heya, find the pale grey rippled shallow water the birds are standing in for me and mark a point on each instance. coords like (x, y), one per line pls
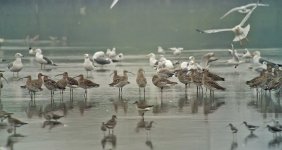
(182, 121)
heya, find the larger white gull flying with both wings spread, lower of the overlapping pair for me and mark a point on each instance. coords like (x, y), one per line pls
(240, 31)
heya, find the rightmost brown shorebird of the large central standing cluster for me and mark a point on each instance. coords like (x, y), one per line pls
(210, 84)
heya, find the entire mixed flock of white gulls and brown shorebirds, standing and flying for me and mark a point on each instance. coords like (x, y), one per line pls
(187, 72)
